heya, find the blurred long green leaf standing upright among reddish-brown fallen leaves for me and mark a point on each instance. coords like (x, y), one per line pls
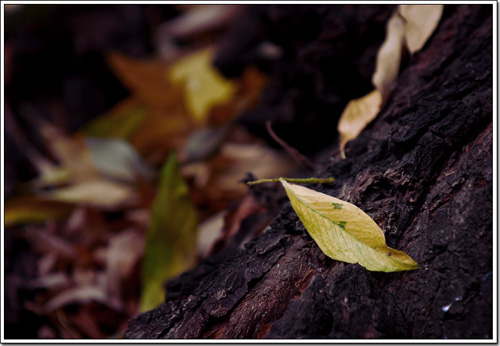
(171, 239)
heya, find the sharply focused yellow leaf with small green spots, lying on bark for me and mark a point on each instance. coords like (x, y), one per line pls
(345, 234)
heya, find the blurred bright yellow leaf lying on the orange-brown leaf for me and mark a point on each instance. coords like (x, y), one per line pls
(204, 86)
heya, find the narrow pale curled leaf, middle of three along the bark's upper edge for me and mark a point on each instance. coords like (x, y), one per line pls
(389, 56)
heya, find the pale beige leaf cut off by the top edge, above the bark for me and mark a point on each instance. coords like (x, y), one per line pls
(421, 21)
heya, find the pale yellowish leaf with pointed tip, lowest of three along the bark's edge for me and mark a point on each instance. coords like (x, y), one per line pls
(357, 114)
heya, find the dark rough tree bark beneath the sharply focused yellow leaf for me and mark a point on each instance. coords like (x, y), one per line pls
(423, 171)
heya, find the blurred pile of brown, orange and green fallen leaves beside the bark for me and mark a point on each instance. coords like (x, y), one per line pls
(100, 213)
